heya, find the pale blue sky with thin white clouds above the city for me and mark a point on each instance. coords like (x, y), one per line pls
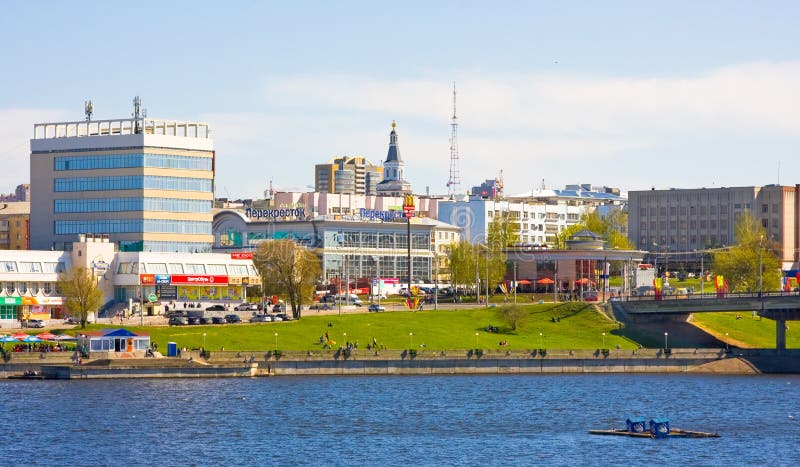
(620, 93)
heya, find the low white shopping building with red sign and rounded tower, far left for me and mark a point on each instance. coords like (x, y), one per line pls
(128, 279)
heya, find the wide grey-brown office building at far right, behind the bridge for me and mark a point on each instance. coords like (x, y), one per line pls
(686, 220)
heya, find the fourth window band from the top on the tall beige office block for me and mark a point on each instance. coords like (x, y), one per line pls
(109, 226)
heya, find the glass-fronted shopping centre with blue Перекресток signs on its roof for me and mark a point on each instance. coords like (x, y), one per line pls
(361, 246)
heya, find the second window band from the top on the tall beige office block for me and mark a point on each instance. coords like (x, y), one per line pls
(131, 182)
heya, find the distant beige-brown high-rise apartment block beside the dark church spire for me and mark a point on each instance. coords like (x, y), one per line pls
(351, 175)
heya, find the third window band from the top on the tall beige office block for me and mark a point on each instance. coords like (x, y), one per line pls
(132, 204)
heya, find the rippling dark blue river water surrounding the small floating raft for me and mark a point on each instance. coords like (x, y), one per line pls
(449, 420)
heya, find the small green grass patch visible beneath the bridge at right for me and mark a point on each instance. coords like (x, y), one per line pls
(747, 331)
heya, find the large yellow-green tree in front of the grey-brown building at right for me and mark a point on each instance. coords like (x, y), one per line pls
(739, 265)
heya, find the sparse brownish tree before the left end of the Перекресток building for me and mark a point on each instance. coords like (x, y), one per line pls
(289, 269)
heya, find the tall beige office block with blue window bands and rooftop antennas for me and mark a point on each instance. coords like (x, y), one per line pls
(146, 183)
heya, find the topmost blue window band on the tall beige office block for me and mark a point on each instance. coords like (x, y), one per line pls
(122, 161)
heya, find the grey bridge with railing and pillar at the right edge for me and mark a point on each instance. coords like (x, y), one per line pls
(777, 306)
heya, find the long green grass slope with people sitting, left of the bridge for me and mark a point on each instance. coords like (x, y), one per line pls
(580, 326)
